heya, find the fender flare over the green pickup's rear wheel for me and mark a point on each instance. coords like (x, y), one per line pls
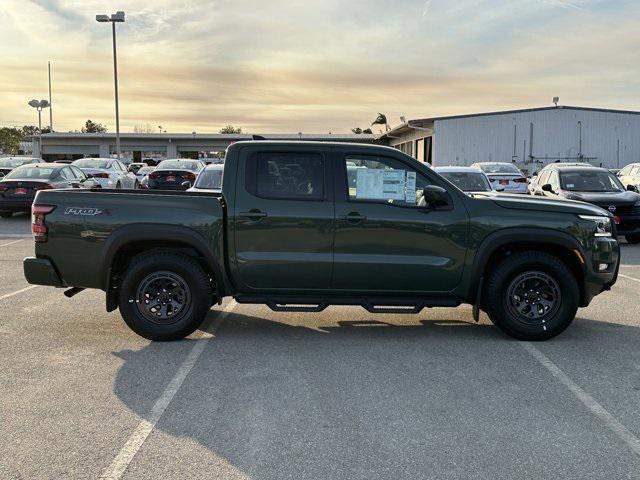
(151, 232)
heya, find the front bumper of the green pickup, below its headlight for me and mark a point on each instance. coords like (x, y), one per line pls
(606, 251)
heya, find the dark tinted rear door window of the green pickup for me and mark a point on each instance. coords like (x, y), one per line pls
(289, 176)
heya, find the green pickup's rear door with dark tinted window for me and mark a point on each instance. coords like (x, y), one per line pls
(283, 220)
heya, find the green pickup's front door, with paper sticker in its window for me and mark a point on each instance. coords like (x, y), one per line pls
(387, 239)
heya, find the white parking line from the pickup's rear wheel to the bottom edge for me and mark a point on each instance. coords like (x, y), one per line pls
(145, 427)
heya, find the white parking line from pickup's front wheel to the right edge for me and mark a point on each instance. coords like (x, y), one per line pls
(587, 400)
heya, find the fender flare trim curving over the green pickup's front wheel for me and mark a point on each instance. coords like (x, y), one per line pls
(496, 240)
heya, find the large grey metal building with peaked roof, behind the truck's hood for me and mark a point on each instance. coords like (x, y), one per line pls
(528, 137)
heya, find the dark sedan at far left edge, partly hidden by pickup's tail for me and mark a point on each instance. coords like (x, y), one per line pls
(19, 187)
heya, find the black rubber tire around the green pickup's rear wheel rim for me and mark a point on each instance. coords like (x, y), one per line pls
(175, 265)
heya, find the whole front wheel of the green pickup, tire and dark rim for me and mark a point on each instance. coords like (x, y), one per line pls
(531, 296)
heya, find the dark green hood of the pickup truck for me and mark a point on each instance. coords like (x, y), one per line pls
(519, 202)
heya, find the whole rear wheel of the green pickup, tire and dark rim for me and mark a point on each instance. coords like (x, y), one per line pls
(164, 295)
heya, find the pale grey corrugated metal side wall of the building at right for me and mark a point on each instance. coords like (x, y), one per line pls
(608, 138)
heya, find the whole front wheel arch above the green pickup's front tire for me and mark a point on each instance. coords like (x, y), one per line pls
(502, 243)
